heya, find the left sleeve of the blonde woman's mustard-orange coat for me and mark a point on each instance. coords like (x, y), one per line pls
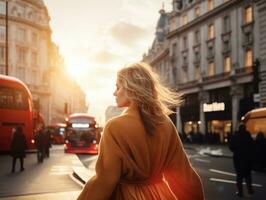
(108, 169)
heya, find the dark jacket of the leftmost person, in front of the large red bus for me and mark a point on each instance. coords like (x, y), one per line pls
(18, 145)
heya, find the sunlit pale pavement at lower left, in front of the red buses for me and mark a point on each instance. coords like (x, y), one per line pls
(51, 179)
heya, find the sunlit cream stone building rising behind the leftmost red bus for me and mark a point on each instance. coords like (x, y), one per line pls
(31, 53)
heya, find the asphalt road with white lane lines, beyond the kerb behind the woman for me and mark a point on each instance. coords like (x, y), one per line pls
(217, 174)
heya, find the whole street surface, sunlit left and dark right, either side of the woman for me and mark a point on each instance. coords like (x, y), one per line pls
(62, 176)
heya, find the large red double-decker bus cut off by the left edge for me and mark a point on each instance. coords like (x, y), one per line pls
(15, 110)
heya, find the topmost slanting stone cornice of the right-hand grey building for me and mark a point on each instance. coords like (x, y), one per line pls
(203, 18)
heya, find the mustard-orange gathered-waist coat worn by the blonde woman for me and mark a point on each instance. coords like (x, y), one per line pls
(135, 166)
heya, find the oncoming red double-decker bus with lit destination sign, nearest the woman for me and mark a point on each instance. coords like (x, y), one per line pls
(82, 134)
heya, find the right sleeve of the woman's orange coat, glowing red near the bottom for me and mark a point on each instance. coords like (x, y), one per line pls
(184, 182)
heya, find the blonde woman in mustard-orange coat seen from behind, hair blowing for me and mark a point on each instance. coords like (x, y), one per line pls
(141, 156)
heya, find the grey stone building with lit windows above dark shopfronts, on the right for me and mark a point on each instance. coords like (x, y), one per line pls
(214, 46)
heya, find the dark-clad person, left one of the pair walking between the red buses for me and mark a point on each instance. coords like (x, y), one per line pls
(40, 144)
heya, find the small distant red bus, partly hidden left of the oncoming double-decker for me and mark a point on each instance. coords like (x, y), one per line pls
(57, 132)
